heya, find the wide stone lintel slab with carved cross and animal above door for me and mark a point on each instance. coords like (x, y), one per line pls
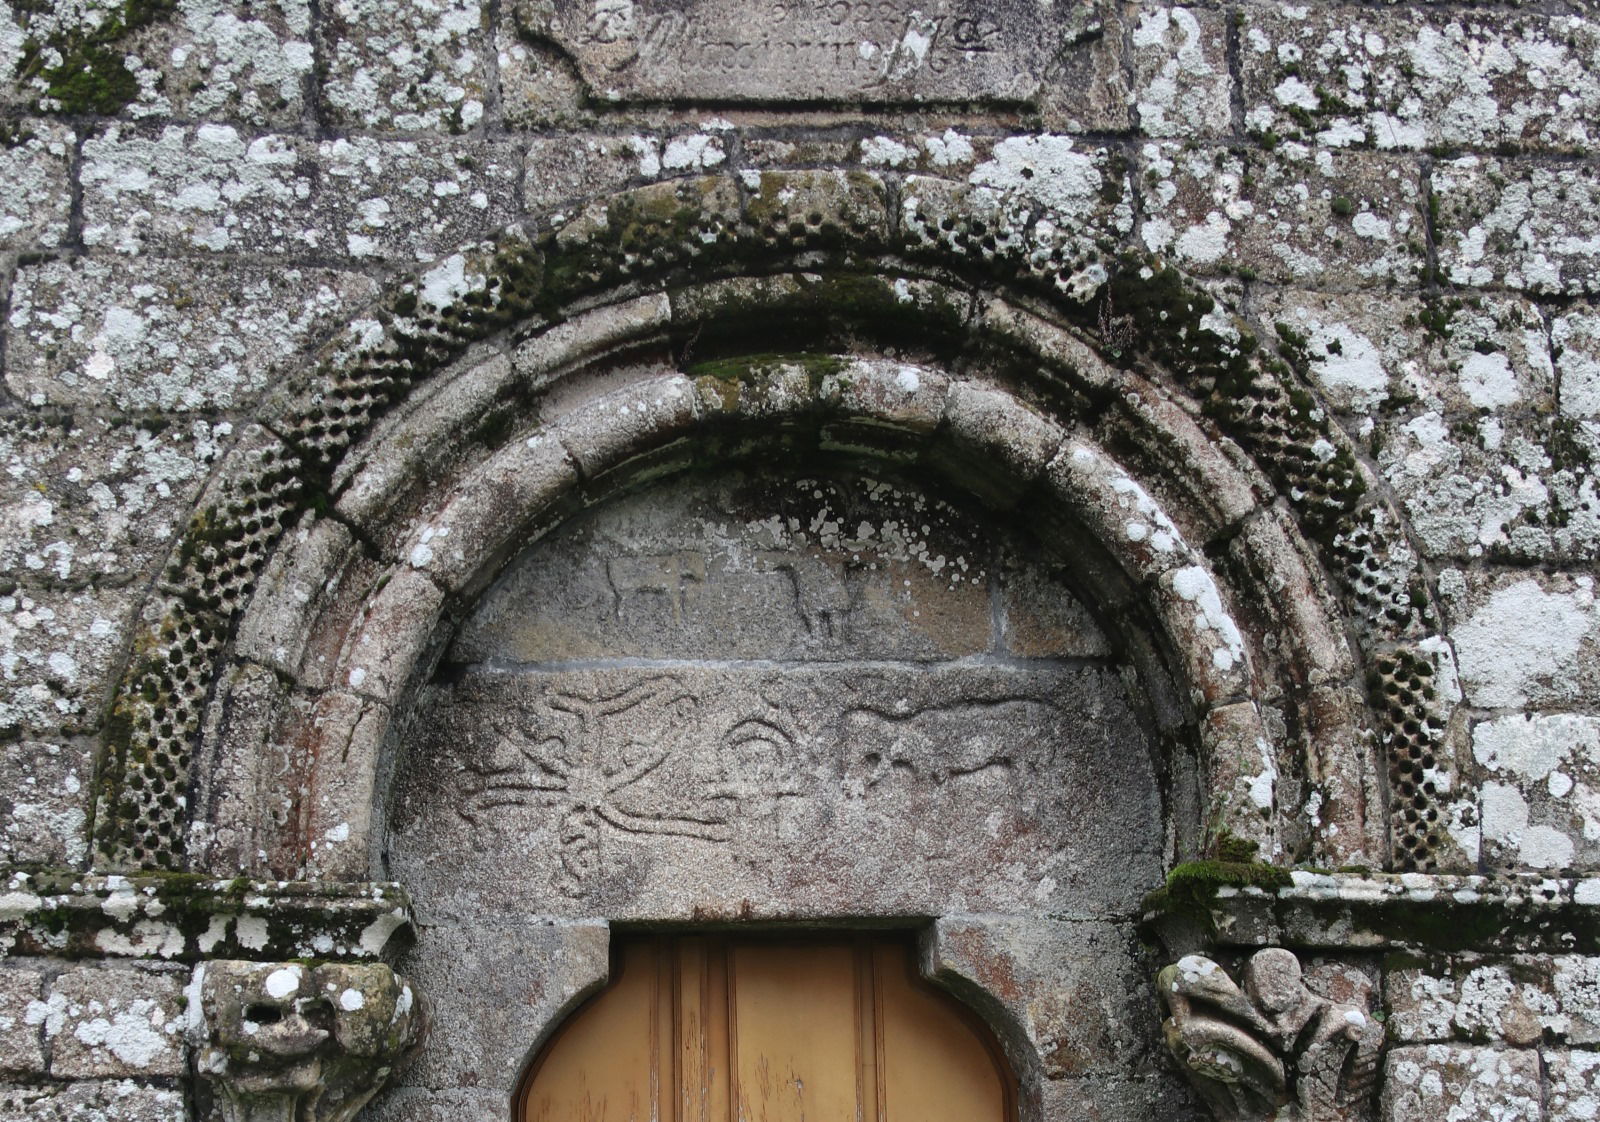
(686, 793)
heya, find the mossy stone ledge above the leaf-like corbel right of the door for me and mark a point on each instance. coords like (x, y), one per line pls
(1217, 905)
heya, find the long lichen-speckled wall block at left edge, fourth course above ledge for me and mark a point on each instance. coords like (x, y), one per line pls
(169, 334)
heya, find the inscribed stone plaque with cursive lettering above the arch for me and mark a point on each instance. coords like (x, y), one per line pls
(809, 50)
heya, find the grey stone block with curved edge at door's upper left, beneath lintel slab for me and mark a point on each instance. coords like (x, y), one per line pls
(497, 993)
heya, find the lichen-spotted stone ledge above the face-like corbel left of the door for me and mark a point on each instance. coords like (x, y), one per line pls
(185, 920)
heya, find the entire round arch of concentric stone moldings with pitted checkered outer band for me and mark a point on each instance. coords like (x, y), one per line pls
(1054, 390)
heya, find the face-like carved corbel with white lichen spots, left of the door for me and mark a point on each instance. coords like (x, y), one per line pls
(290, 1043)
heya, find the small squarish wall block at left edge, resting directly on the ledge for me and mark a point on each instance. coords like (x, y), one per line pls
(44, 801)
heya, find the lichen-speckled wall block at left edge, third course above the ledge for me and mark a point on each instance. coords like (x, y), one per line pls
(86, 499)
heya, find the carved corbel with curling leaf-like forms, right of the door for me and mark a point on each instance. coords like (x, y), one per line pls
(1271, 1044)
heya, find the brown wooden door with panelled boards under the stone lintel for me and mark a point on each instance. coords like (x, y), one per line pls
(719, 1030)
